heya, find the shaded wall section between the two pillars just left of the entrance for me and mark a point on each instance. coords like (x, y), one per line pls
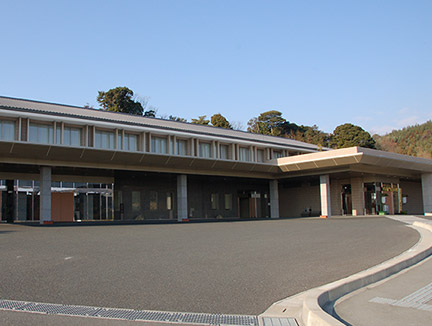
(293, 201)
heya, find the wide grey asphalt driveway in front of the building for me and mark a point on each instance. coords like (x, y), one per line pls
(224, 267)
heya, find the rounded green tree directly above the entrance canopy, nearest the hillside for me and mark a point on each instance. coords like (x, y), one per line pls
(349, 135)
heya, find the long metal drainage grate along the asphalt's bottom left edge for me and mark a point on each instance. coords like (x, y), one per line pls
(129, 314)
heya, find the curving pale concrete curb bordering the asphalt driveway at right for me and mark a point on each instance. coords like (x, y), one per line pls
(314, 307)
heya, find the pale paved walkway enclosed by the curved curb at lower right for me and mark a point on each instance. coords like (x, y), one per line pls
(402, 299)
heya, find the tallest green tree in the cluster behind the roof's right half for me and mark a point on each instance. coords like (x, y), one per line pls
(268, 123)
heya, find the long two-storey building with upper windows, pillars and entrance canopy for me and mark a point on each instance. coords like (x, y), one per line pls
(63, 163)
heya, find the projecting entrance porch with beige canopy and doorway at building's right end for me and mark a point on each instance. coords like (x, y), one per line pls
(367, 181)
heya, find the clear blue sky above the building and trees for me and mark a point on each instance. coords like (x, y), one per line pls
(318, 62)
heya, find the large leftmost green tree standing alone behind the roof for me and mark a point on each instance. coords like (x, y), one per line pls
(120, 99)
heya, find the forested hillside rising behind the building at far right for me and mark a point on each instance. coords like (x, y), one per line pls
(413, 140)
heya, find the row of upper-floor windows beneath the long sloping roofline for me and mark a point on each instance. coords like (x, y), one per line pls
(75, 136)
